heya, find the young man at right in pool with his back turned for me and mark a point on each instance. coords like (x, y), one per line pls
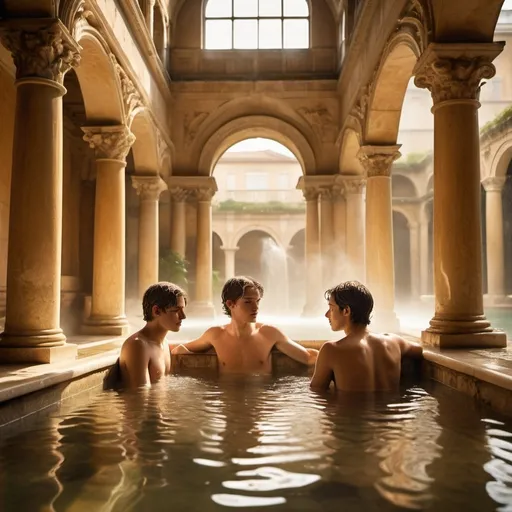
(361, 361)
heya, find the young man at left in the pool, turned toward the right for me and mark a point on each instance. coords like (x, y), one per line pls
(145, 356)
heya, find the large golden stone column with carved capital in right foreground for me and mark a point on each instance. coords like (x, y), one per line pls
(453, 72)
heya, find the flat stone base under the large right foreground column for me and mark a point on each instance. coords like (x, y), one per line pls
(489, 339)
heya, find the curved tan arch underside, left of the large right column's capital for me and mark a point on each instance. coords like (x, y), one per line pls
(388, 91)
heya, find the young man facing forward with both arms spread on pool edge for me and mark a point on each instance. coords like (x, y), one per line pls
(244, 345)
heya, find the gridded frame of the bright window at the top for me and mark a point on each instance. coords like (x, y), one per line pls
(257, 18)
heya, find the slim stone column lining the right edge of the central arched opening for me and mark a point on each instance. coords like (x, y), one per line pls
(314, 297)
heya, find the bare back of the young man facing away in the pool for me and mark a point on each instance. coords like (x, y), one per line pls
(371, 362)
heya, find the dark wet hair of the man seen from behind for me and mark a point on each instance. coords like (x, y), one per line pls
(356, 296)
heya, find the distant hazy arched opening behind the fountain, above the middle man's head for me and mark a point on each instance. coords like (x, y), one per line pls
(260, 257)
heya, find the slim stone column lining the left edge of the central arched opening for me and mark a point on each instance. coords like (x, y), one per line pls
(203, 305)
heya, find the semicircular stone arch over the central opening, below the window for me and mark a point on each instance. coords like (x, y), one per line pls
(248, 127)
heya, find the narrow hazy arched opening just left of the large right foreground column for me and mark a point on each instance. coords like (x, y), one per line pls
(402, 252)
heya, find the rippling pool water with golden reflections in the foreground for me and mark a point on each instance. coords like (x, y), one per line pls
(198, 444)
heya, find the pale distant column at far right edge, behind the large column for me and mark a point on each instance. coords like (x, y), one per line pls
(495, 251)
